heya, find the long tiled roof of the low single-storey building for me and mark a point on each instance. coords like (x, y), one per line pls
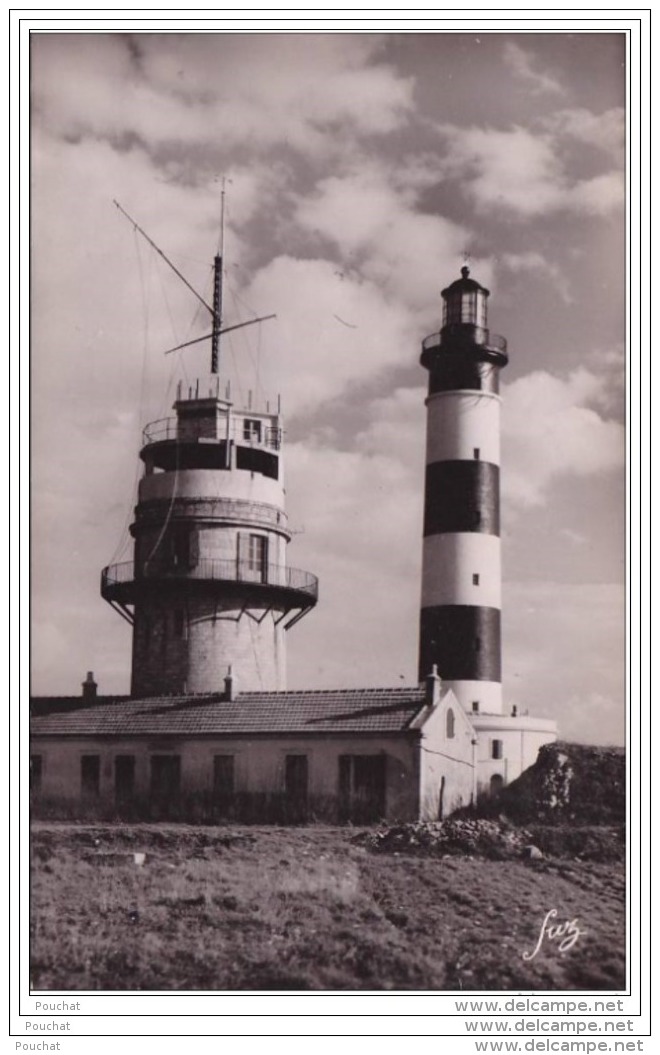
(350, 711)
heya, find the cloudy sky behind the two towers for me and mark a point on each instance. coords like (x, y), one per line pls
(361, 171)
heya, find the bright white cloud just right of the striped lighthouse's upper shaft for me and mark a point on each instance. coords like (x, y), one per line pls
(552, 430)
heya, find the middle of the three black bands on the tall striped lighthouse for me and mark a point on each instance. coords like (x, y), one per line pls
(462, 496)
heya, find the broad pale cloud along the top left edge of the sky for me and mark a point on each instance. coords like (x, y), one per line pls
(202, 89)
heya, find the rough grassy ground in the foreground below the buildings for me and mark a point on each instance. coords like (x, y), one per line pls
(307, 909)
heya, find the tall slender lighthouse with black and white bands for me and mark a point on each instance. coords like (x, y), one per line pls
(461, 577)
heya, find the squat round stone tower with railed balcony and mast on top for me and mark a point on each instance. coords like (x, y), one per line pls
(209, 592)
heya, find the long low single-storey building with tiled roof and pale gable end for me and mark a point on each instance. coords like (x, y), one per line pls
(348, 756)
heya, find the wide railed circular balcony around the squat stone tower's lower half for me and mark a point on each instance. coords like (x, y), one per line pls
(124, 584)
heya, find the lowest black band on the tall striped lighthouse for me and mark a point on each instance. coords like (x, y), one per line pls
(464, 641)
